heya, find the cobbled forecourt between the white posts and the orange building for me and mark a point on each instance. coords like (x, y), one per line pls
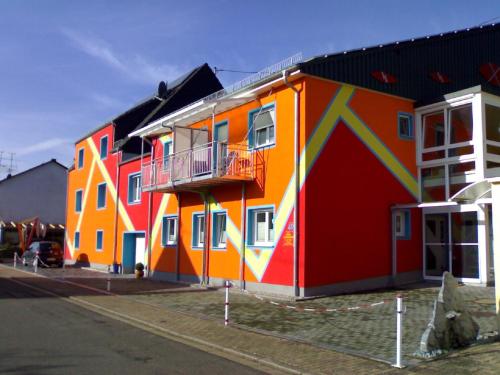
(367, 331)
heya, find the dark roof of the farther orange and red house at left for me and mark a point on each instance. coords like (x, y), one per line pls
(153, 107)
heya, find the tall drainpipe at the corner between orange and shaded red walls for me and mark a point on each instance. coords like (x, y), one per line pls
(296, 158)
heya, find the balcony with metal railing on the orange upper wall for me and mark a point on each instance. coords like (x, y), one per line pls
(201, 167)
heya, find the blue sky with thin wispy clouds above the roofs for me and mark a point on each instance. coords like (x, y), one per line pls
(67, 67)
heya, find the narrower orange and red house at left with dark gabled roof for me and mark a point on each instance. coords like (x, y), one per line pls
(106, 209)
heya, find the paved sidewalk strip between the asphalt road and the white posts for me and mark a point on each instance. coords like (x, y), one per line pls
(157, 307)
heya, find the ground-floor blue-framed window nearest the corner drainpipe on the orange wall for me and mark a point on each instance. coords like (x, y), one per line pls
(261, 227)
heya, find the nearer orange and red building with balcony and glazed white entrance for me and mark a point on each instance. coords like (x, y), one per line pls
(338, 173)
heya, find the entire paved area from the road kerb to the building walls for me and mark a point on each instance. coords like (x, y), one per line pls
(193, 316)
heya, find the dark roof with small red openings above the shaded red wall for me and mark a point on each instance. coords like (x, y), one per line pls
(457, 56)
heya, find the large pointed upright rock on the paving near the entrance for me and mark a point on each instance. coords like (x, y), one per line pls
(451, 325)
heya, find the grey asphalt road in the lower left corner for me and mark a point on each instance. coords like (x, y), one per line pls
(40, 334)
